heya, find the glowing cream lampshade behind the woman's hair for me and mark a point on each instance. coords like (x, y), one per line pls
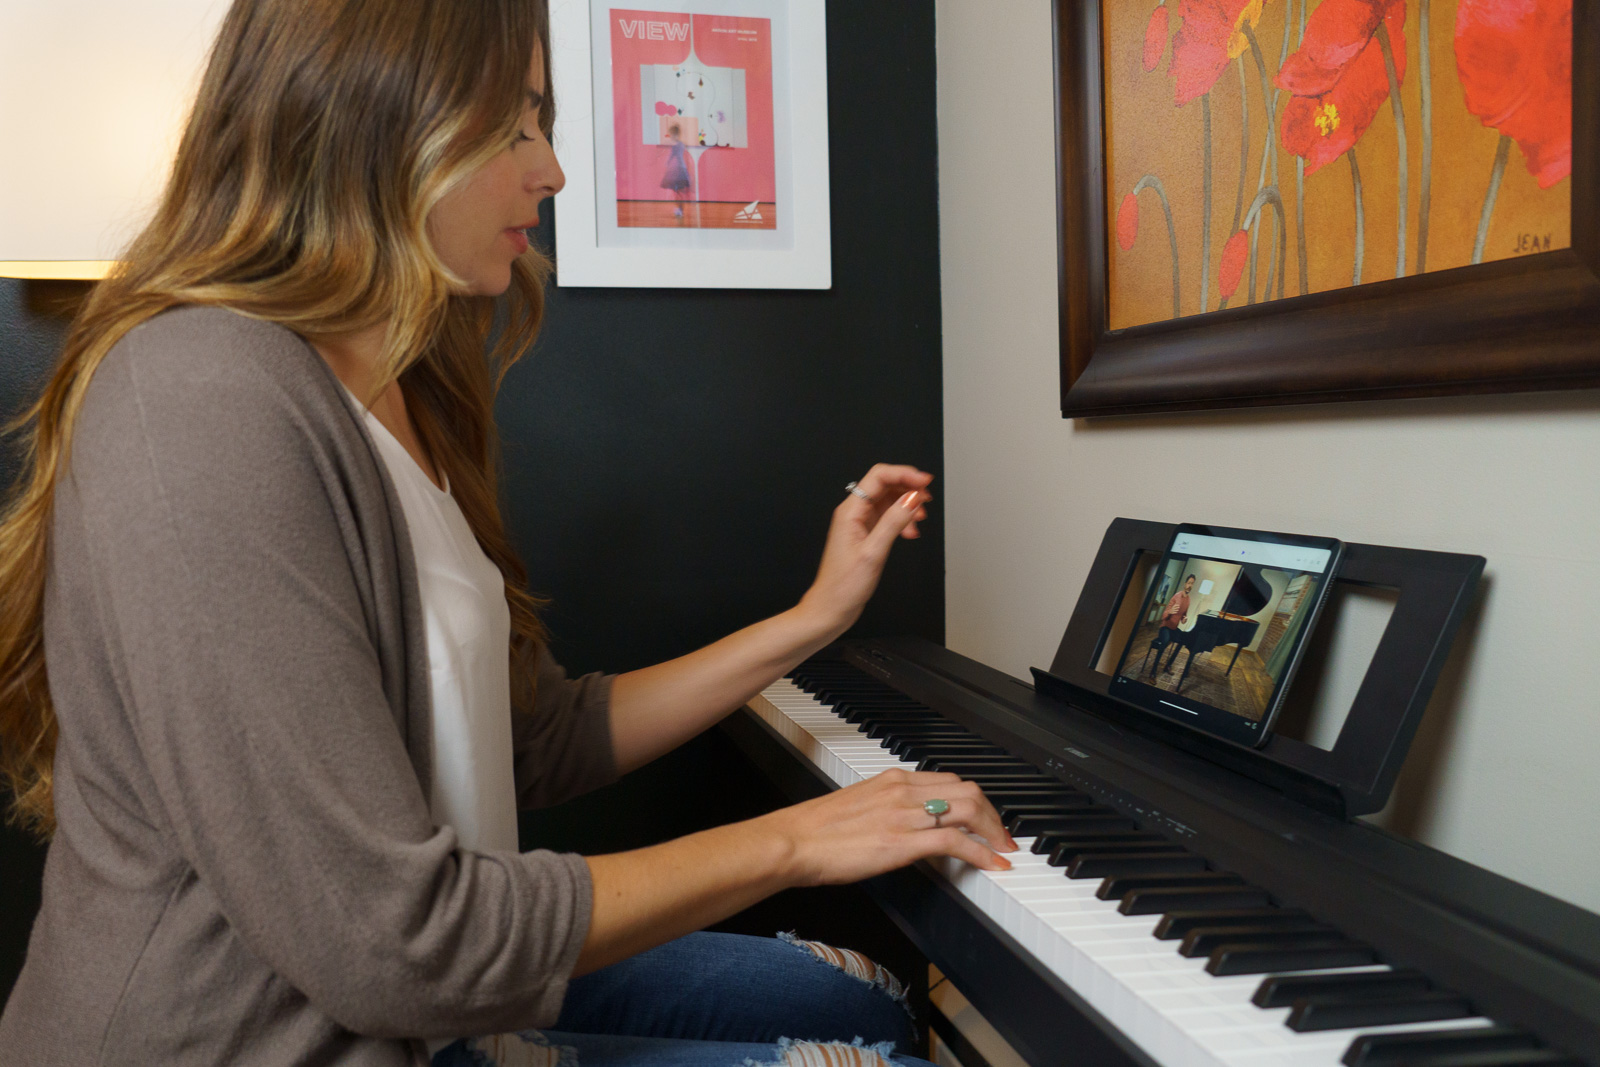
(94, 95)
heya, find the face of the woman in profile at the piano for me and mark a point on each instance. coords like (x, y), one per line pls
(479, 226)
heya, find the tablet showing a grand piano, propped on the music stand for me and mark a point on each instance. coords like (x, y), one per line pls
(1223, 626)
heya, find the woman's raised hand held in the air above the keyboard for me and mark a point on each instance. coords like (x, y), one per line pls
(860, 540)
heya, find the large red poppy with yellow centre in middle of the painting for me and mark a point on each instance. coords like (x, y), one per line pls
(1338, 78)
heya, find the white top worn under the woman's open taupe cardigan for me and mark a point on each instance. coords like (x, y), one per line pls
(468, 655)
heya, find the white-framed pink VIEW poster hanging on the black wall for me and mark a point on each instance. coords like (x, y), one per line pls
(694, 135)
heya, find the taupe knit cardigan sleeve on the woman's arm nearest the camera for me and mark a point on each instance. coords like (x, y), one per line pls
(231, 613)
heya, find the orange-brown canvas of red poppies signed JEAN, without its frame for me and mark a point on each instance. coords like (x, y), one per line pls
(1303, 146)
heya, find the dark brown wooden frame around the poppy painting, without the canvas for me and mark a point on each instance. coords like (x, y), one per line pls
(1511, 326)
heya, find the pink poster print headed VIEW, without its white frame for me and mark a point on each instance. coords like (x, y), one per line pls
(694, 121)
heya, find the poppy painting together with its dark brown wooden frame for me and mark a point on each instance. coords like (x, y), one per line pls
(1311, 201)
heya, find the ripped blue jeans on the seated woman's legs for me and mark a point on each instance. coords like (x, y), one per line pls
(718, 1001)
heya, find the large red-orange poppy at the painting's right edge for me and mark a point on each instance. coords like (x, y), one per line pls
(1516, 65)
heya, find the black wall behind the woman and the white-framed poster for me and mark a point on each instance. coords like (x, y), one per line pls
(673, 457)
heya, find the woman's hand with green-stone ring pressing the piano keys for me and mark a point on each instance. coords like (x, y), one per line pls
(881, 825)
